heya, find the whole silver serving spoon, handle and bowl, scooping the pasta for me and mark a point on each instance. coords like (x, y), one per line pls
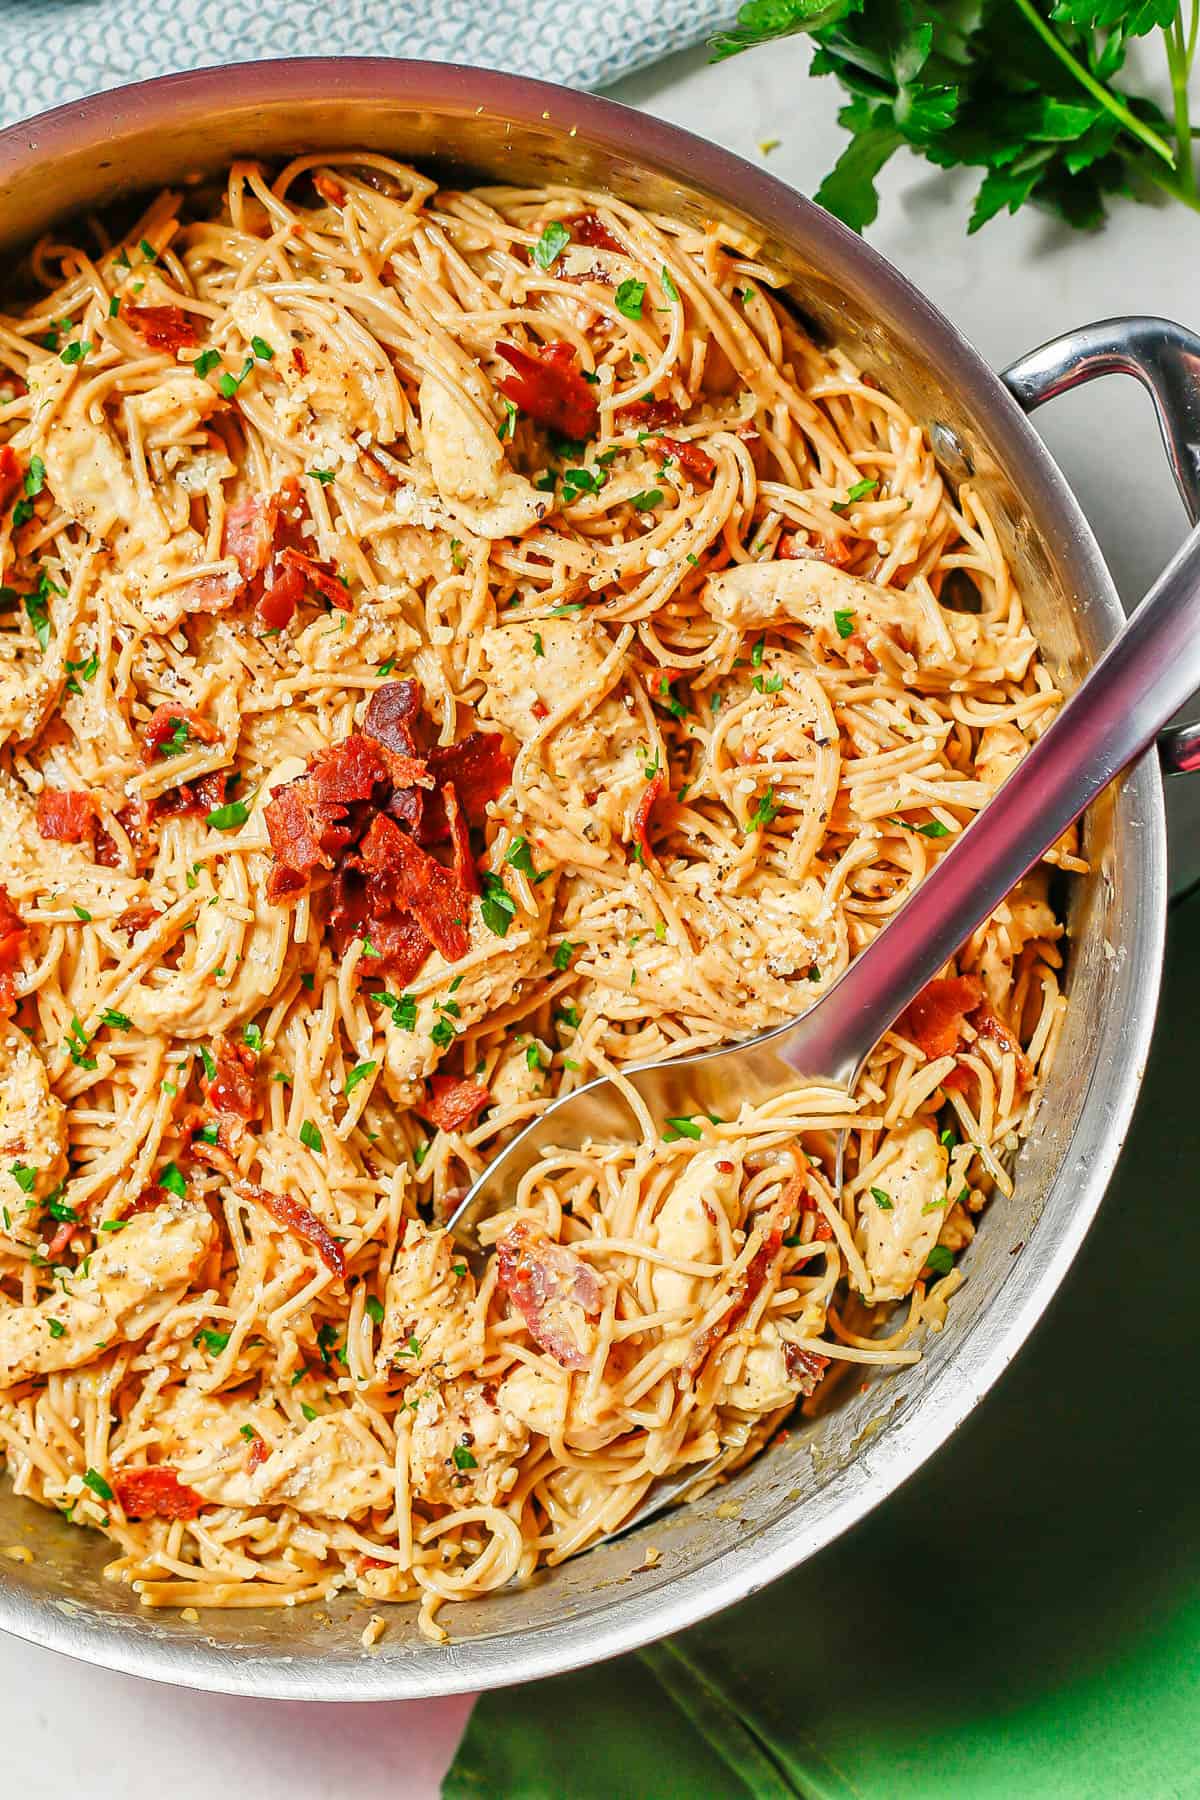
(1145, 676)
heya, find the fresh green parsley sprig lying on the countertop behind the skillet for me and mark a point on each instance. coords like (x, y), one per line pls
(1034, 93)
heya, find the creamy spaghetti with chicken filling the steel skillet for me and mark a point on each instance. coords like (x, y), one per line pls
(753, 681)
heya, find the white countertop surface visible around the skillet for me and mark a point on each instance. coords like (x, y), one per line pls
(75, 1731)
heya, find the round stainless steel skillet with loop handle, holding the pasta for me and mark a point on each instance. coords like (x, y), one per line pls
(469, 123)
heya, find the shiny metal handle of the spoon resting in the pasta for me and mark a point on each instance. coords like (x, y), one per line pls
(1145, 676)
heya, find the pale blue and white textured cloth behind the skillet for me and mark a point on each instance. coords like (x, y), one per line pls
(57, 51)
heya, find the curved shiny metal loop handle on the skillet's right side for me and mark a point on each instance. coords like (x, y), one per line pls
(1167, 361)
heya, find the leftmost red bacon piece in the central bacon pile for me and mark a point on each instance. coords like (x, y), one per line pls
(309, 820)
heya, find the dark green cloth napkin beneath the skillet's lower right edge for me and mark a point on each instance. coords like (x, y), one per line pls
(1021, 1621)
